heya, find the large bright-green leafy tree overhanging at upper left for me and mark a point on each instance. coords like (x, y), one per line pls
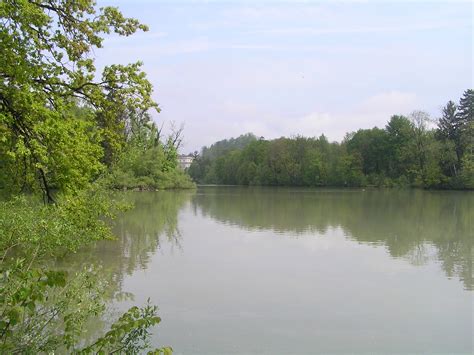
(47, 72)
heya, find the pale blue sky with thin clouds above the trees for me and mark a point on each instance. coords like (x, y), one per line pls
(281, 68)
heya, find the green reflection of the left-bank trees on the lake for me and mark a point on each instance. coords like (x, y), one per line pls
(140, 233)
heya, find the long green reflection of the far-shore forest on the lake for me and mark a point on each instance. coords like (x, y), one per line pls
(407, 222)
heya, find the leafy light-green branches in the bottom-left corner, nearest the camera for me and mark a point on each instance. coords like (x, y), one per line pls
(46, 311)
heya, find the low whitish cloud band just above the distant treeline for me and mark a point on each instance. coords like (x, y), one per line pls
(372, 111)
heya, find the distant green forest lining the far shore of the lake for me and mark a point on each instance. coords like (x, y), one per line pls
(412, 150)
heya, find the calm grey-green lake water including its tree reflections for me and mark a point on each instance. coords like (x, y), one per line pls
(297, 271)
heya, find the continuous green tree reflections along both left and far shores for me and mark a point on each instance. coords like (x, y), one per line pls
(409, 223)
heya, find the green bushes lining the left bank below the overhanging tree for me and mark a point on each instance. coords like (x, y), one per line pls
(44, 310)
